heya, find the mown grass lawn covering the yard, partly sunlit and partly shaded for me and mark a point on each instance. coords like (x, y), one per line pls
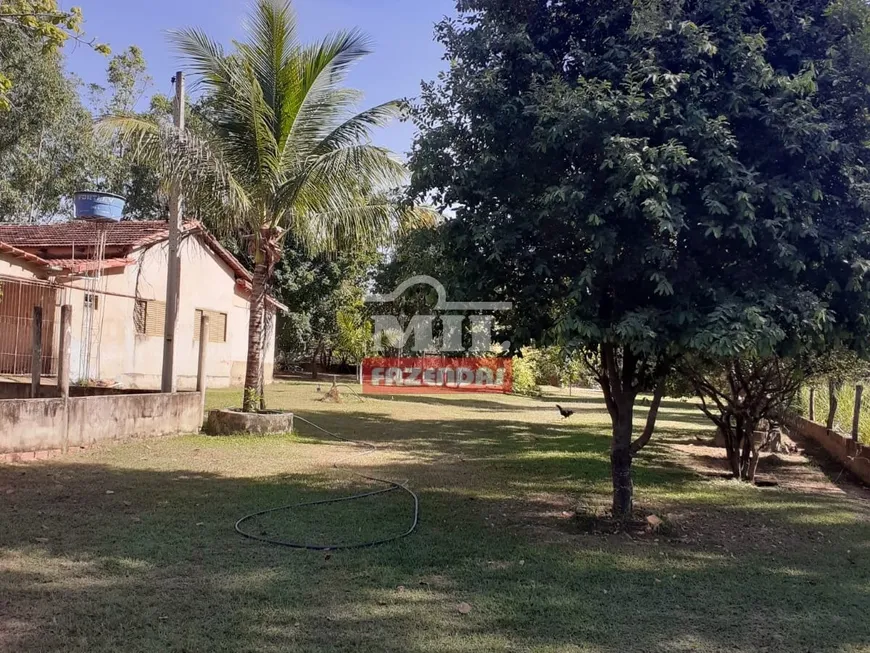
(131, 547)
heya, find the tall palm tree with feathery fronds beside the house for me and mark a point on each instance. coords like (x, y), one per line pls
(284, 152)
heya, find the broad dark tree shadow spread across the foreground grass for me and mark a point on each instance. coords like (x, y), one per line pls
(156, 566)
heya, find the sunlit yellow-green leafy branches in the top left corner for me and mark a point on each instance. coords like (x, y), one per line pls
(44, 24)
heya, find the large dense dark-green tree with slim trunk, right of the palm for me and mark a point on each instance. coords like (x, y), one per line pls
(648, 178)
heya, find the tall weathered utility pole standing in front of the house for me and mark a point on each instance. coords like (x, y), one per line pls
(173, 275)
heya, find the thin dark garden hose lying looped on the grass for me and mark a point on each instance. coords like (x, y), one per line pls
(392, 486)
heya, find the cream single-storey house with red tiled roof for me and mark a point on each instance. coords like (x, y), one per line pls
(114, 277)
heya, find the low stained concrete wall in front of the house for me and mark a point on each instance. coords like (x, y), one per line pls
(48, 424)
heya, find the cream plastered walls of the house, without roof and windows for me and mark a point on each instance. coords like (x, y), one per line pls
(121, 356)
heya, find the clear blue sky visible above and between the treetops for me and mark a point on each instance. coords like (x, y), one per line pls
(402, 30)
